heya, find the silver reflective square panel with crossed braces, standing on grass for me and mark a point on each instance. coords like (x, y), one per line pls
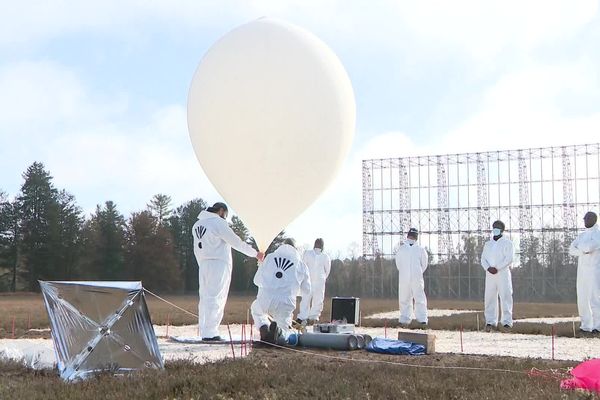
(100, 326)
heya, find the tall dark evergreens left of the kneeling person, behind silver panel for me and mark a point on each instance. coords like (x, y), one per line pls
(44, 235)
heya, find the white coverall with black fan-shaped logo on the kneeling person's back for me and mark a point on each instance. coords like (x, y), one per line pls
(279, 279)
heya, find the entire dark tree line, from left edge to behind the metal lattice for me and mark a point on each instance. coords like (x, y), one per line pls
(44, 235)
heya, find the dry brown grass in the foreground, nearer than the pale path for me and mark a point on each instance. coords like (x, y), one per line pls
(277, 374)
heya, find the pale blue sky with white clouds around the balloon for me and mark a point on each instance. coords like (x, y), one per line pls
(97, 90)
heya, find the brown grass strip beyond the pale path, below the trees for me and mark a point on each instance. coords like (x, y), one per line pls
(28, 312)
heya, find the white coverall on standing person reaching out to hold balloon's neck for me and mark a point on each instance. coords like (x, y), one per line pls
(213, 240)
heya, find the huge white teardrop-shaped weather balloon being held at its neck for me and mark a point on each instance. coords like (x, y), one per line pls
(271, 115)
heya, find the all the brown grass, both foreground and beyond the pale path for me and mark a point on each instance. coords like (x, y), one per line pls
(282, 374)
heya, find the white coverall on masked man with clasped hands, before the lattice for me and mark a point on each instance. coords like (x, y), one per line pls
(499, 254)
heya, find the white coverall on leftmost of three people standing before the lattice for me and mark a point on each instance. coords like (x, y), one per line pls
(411, 262)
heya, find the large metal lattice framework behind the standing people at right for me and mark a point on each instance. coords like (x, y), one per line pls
(540, 193)
